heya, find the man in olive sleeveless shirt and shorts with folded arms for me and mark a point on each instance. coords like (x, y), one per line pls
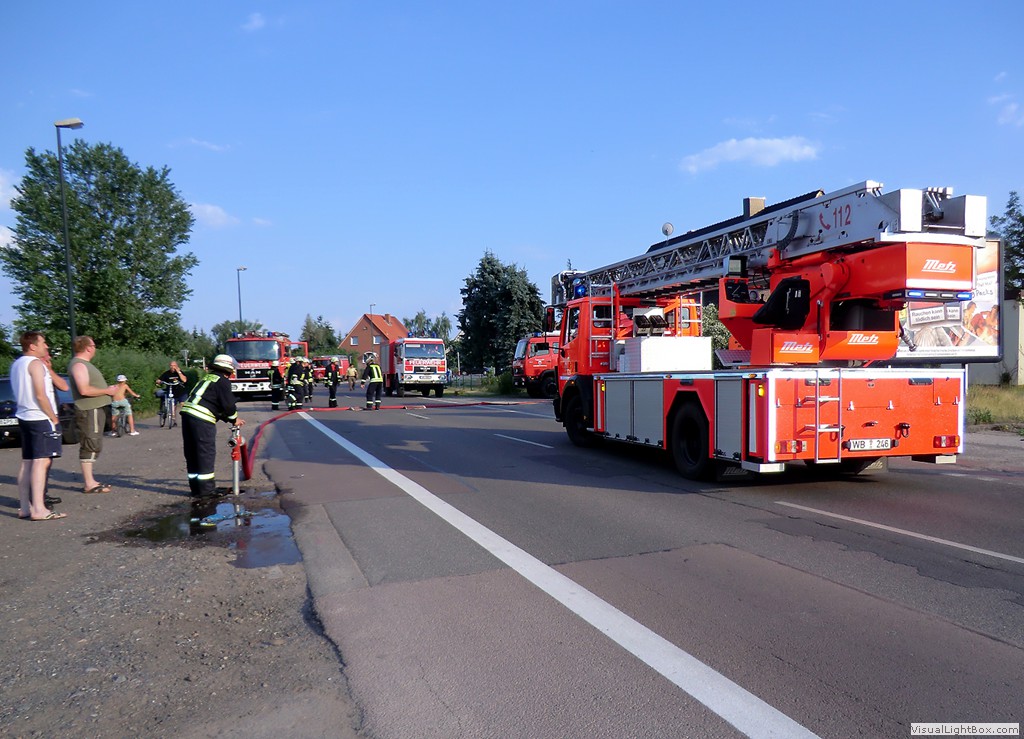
(93, 396)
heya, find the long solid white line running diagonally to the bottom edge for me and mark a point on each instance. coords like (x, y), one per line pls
(734, 704)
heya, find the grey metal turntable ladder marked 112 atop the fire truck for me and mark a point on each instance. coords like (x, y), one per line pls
(854, 219)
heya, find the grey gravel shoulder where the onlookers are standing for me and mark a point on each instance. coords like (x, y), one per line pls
(107, 636)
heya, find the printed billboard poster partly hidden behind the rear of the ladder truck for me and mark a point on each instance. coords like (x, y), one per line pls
(959, 332)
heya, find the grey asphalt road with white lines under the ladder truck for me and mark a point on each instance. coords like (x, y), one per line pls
(483, 578)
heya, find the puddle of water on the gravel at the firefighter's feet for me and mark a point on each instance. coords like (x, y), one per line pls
(261, 538)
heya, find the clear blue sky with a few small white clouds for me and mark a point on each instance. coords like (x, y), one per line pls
(358, 154)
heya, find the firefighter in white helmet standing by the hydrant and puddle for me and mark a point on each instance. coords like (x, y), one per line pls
(211, 401)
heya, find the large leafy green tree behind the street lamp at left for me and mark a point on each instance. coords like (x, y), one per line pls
(125, 227)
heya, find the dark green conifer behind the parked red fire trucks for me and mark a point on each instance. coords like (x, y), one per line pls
(500, 307)
